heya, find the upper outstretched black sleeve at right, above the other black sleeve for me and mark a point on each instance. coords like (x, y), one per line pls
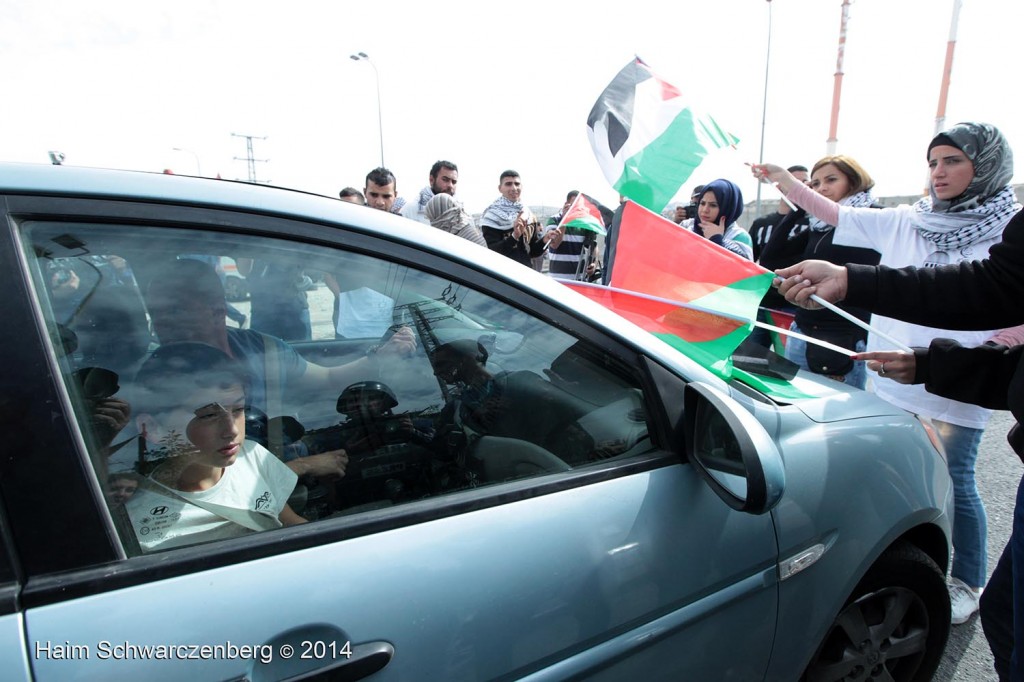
(980, 294)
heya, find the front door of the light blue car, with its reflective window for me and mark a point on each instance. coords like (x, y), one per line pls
(551, 532)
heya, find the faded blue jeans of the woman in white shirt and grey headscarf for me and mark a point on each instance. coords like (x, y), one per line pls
(970, 523)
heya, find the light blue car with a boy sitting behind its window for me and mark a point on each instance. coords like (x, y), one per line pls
(532, 487)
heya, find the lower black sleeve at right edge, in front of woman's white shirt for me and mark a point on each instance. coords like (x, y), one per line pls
(980, 376)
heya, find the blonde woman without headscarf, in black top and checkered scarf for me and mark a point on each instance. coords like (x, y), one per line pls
(843, 181)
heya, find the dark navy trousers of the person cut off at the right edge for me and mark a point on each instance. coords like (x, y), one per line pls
(1003, 603)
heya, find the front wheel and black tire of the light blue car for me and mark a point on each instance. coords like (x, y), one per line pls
(893, 627)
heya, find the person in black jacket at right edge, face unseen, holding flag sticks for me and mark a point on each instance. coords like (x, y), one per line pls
(973, 295)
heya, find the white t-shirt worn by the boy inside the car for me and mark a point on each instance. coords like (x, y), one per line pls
(249, 497)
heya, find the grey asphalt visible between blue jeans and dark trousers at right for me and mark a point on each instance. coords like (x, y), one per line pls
(999, 473)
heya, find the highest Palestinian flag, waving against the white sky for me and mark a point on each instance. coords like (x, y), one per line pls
(647, 141)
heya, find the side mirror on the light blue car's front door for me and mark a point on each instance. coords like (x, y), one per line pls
(732, 451)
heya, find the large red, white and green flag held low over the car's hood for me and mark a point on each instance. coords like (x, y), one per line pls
(658, 259)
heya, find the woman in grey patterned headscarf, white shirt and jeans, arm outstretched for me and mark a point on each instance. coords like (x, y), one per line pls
(970, 203)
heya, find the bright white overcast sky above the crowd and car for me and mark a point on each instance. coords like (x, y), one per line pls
(121, 83)
